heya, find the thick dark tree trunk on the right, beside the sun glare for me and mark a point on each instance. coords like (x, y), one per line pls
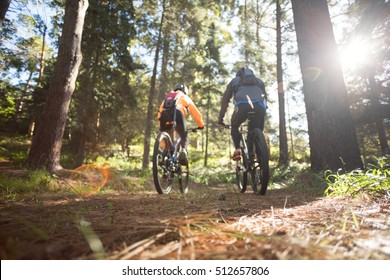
(332, 136)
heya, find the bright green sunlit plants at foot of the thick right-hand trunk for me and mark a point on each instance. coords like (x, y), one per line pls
(375, 181)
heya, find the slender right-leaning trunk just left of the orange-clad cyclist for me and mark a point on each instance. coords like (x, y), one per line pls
(152, 93)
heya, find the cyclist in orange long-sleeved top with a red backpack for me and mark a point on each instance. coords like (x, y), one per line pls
(179, 101)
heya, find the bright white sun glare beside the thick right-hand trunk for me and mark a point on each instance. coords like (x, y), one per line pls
(354, 55)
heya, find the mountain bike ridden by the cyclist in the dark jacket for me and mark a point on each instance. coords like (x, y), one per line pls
(254, 158)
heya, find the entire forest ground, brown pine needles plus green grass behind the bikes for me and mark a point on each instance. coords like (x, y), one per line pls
(119, 215)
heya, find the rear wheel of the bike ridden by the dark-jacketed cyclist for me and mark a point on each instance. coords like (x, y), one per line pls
(260, 170)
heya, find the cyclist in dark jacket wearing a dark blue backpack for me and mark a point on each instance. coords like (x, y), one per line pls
(247, 90)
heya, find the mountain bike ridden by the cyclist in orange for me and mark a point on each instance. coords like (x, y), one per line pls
(166, 163)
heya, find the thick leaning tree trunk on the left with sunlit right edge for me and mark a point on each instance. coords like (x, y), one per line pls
(47, 142)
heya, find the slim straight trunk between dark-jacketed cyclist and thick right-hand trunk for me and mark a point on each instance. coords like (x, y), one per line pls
(283, 147)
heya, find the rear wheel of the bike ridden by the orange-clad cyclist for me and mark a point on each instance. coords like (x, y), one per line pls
(161, 173)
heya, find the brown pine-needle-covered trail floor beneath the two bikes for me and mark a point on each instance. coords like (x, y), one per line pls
(210, 222)
